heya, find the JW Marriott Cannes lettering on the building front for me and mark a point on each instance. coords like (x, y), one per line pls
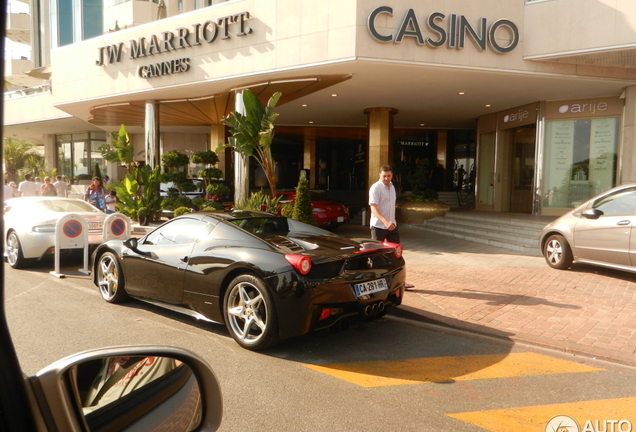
(184, 37)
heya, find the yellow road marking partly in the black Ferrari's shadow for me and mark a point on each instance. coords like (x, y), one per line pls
(444, 369)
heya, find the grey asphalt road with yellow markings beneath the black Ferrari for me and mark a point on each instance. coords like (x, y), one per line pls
(386, 374)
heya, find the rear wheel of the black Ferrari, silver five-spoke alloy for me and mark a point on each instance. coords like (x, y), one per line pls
(249, 313)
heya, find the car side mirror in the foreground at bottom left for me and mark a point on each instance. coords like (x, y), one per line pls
(143, 388)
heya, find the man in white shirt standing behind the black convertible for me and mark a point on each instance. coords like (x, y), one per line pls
(382, 202)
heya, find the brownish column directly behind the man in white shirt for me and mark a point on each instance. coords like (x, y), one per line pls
(380, 141)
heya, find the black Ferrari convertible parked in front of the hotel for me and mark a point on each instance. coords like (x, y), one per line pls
(266, 277)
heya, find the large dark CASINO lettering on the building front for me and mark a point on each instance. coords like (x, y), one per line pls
(449, 30)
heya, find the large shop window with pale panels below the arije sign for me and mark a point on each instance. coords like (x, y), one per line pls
(580, 160)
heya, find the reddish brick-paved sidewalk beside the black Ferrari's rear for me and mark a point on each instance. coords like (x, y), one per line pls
(588, 311)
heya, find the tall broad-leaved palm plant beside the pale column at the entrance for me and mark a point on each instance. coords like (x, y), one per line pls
(253, 133)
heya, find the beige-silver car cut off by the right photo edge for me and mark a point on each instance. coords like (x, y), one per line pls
(599, 231)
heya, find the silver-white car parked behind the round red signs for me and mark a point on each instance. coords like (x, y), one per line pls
(29, 225)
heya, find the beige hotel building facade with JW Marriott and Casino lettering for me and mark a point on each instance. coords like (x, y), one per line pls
(537, 99)
